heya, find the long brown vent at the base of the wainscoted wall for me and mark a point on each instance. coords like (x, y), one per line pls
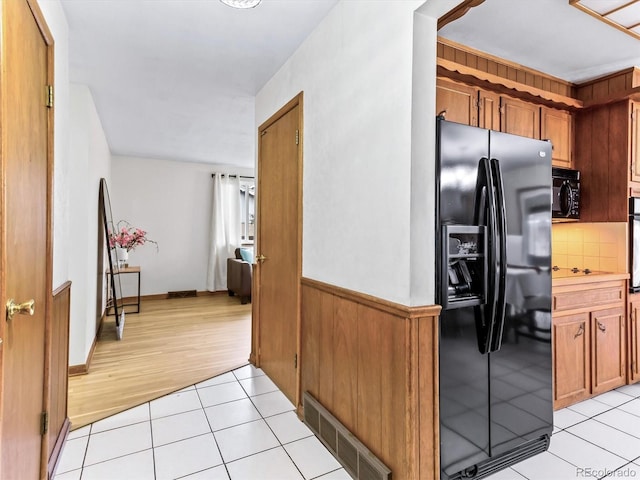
(357, 459)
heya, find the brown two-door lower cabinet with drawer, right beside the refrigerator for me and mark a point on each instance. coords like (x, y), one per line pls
(589, 340)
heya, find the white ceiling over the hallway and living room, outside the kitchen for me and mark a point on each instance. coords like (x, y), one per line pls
(176, 79)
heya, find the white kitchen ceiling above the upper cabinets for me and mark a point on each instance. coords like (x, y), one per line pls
(547, 35)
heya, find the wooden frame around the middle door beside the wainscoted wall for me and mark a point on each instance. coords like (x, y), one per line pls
(255, 321)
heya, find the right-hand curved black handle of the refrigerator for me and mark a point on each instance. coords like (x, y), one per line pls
(501, 247)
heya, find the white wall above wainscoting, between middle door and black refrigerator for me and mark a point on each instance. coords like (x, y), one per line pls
(369, 102)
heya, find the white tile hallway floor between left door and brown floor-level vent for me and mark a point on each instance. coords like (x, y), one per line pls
(236, 426)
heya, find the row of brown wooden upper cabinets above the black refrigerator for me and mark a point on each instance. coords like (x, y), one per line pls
(482, 108)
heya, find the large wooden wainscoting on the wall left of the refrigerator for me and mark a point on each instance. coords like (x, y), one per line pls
(374, 365)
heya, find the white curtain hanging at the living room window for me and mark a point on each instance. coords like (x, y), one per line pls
(225, 229)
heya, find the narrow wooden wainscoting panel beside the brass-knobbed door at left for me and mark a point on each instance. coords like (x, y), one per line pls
(58, 360)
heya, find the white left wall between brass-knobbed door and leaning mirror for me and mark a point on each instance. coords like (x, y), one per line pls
(81, 157)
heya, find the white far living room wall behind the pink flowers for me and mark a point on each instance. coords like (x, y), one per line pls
(171, 200)
